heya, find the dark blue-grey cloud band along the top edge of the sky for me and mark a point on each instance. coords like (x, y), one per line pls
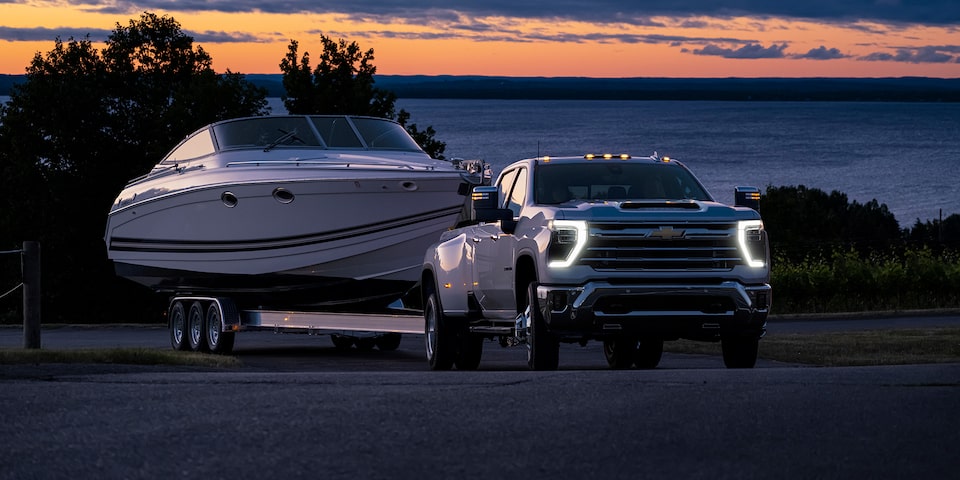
(932, 12)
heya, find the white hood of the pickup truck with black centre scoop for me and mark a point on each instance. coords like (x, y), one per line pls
(653, 210)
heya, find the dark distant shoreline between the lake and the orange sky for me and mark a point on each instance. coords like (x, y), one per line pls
(902, 89)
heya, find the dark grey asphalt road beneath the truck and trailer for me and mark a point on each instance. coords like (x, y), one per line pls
(300, 408)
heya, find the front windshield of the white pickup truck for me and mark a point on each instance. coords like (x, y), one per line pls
(558, 183)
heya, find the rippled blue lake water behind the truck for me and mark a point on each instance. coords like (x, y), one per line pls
(905, 155)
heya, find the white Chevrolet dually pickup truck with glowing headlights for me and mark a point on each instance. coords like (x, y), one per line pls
(625, 250)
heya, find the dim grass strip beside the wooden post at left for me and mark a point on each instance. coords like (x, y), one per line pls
(118, 356)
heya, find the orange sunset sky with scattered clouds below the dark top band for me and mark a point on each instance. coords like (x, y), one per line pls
(692, 46)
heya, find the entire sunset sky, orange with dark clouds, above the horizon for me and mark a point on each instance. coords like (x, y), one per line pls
(550, 38)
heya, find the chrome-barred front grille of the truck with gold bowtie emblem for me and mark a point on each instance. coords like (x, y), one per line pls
(659, 246)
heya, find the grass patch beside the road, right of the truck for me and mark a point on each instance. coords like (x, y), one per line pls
(872, 347)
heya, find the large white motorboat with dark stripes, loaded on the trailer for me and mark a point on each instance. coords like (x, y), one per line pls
(308, 212)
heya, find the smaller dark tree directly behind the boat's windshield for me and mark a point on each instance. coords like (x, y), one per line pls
(342, 83)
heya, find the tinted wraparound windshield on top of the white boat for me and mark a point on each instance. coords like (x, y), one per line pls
(271, 132)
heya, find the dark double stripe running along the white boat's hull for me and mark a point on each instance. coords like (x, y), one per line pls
(123, 244)
